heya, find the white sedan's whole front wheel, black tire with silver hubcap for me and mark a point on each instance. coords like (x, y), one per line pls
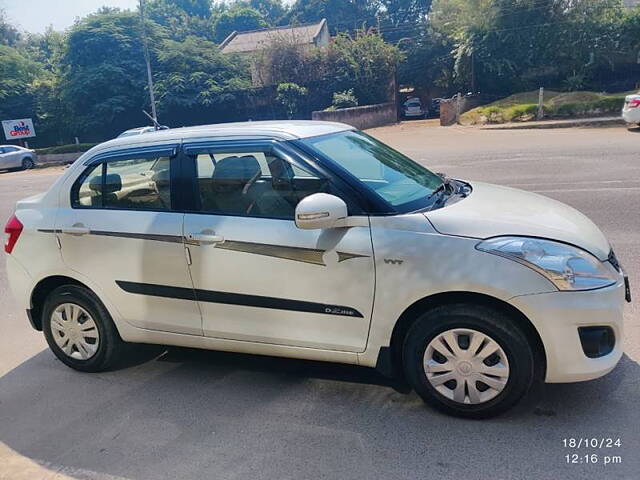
(464, 394)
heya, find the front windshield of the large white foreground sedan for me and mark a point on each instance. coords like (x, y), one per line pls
(401, 182)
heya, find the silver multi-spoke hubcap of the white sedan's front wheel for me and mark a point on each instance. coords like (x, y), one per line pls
(466, 366)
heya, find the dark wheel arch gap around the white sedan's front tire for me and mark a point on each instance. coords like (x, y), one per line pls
(390, 358)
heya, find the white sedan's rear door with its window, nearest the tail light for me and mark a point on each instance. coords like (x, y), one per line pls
(119, 230)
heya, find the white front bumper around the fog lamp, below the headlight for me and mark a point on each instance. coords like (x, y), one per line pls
(558, 316)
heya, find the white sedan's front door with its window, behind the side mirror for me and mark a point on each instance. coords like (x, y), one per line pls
(259, 278)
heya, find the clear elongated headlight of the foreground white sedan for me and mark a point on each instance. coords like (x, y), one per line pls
(567, 267)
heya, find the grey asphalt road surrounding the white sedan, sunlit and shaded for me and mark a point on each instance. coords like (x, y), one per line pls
(193, 415)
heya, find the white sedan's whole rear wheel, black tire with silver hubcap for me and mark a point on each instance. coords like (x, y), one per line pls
(59, 307)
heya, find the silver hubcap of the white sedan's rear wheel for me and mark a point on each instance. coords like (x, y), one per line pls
(74, 331)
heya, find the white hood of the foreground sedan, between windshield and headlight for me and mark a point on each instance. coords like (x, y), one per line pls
(492, 210)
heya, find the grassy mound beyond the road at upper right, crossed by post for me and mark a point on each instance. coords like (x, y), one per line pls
(523, 107)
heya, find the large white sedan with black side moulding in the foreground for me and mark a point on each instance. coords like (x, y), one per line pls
(314, 240)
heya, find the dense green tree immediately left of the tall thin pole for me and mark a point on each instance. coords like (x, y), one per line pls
(103, 75)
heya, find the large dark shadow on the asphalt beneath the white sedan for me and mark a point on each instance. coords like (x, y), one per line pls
(195, 414)
